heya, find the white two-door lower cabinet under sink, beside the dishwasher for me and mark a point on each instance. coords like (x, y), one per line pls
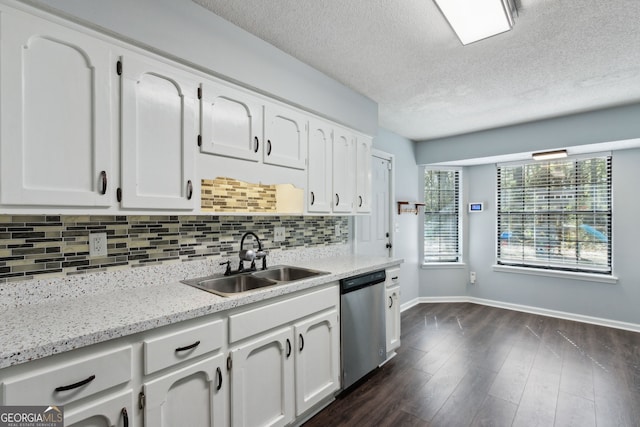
(286, 360)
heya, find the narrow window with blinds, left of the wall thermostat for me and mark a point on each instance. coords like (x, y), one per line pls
(442, 215)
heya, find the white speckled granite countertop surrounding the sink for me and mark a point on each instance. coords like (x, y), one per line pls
(48, 327)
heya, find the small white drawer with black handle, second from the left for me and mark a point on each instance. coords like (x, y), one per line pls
(168, 349)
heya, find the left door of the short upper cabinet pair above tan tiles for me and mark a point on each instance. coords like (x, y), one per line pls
(230, 122)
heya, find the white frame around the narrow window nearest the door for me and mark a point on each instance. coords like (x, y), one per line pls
(460, 216)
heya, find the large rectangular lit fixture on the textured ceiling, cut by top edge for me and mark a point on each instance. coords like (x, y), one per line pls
(474, 20)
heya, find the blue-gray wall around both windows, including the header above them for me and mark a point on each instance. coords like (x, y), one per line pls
(618, 301)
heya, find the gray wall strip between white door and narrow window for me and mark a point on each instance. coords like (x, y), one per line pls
(406, 240)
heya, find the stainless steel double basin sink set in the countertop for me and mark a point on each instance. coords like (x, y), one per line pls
(245, 282)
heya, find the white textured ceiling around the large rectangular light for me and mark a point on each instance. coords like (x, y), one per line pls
(562, 57)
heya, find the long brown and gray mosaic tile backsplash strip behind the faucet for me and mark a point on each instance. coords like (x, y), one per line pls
(39, 246)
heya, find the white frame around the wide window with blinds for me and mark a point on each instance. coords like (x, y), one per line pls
(556, 267)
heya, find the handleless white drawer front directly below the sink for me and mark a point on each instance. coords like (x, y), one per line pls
(257, 320)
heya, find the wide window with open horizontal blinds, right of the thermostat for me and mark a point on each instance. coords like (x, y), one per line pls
(556, 214)
